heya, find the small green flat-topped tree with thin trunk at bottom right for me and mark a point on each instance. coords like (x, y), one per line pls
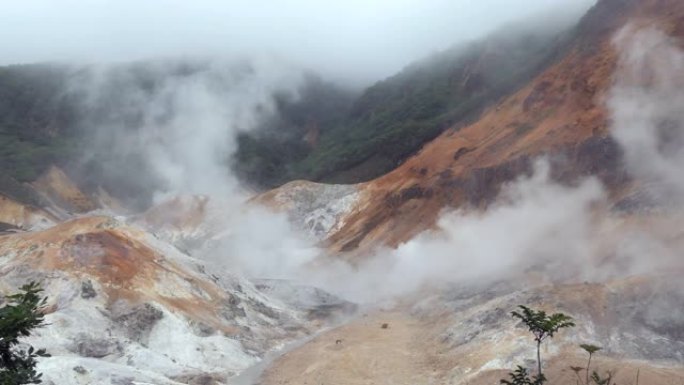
(542, 326)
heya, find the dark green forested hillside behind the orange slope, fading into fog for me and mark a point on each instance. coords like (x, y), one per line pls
(394, 118)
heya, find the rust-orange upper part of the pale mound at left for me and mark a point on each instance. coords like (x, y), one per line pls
(129, 265)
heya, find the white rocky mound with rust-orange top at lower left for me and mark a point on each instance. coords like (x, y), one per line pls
(126, 307)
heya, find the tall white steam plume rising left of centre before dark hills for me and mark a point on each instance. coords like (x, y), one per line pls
(183, 128)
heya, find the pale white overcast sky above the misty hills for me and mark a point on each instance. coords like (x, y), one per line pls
(361, 39)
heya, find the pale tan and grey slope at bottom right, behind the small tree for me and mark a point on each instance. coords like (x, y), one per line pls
(467, 337)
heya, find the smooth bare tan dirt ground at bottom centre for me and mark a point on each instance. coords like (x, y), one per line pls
(367, 354)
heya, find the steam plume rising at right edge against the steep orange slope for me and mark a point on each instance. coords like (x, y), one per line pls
(646, 104)
